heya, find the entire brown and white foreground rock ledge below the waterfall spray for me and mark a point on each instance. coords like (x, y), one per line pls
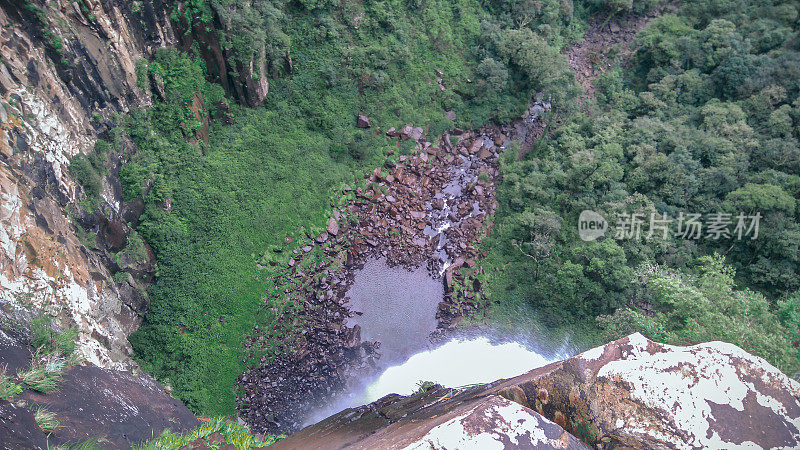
(632, 392)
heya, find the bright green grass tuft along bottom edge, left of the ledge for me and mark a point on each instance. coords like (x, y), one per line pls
(231, 432)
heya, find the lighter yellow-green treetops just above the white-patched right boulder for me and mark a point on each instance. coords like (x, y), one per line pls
(688, 308)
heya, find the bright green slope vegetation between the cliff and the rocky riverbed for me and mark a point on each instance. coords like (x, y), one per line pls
(214, 210)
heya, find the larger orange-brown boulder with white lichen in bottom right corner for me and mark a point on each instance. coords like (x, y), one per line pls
(637, 393)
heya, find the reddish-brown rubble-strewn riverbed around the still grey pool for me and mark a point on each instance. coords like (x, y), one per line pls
(424, 210)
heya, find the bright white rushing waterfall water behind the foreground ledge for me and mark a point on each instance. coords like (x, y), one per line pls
(456, 363)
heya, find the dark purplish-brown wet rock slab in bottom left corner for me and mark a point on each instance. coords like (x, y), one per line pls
(123, 408)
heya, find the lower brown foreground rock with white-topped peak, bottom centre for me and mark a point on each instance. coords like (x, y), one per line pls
(436, 419)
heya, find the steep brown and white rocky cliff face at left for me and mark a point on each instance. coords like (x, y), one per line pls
(66, 69)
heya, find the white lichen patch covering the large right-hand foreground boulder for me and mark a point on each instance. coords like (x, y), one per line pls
(680, 388)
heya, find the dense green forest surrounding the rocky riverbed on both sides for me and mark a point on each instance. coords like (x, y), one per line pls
(702, 118)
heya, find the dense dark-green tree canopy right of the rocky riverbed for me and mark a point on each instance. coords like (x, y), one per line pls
(706, 121)
